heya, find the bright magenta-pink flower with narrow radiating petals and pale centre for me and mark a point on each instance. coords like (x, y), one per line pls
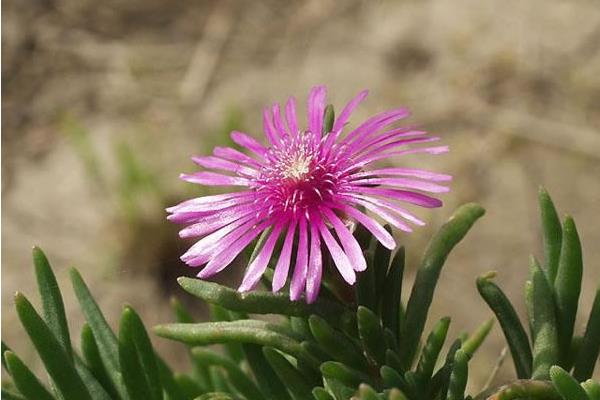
(308, 187)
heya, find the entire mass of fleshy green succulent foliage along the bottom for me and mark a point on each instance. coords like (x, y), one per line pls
(361, 343)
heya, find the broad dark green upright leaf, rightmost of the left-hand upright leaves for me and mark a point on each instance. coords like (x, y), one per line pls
(137, 360)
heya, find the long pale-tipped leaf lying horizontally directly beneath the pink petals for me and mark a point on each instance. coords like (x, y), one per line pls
(259, 302)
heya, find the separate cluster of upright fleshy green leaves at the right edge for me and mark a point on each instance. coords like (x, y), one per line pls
(552, 350)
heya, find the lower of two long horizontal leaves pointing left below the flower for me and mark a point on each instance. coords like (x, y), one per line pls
(242, 331)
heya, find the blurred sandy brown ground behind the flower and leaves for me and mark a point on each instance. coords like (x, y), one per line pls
(104, 102)
